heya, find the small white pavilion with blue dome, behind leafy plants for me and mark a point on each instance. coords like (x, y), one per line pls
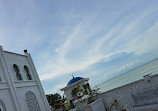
(74, 83)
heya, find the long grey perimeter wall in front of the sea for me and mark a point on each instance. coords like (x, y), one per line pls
(141, 95)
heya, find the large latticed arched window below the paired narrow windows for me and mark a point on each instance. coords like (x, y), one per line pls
(32, 102)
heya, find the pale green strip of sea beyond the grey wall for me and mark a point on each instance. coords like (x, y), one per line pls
(130, 76)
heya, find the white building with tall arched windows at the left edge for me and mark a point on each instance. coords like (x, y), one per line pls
(20, 87)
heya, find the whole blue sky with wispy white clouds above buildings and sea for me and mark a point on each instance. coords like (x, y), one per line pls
(96, 39)
